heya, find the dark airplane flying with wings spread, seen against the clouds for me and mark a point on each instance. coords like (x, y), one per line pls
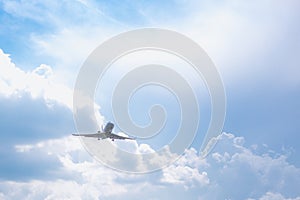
(106, 133)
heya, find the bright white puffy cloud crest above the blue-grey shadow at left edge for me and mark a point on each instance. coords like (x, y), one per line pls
(38, 82)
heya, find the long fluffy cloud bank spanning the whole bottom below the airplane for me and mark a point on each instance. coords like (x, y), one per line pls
(230, 171)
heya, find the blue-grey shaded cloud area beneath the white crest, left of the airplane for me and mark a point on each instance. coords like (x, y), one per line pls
(27, 120)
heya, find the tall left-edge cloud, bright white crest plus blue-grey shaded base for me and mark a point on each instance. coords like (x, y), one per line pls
(33, 108)
